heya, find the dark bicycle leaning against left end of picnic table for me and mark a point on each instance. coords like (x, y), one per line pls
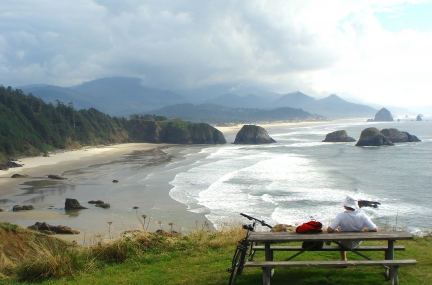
(244, 248)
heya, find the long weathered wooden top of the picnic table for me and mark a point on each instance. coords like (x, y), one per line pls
(324, 236)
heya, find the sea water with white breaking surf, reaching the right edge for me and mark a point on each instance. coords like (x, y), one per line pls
(301, 178)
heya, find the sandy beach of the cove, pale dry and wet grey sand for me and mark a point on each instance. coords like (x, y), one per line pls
(90, 172)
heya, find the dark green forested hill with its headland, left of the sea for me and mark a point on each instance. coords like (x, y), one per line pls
(29, 126)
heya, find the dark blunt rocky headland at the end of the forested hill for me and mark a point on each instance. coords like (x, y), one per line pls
(175, 131)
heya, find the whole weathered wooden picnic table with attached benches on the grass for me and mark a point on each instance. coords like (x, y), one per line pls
(270, 239)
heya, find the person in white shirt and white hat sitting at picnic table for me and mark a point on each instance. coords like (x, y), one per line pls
(351, 220)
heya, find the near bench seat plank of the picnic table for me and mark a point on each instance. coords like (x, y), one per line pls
(274, 264)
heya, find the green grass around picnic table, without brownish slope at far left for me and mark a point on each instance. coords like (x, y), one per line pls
(203, 257)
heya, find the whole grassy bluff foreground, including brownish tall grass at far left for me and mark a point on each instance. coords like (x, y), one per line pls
(198, 258)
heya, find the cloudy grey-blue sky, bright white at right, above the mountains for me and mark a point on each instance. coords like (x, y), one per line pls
(366, 51)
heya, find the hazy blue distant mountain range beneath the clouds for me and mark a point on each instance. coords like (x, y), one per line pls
(124, 96)
